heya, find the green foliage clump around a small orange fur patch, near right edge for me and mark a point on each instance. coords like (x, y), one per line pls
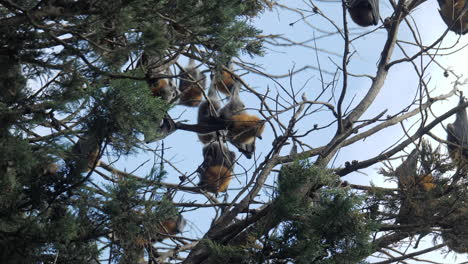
(423, 193)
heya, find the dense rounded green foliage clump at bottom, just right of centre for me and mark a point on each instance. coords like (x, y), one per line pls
(329, 229)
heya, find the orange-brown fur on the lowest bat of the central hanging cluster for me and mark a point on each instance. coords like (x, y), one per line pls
(216, 179)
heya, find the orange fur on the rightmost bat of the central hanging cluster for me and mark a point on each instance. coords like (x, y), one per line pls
(243, 128)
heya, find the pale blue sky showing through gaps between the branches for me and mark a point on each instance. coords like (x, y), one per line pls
(401, 86)
